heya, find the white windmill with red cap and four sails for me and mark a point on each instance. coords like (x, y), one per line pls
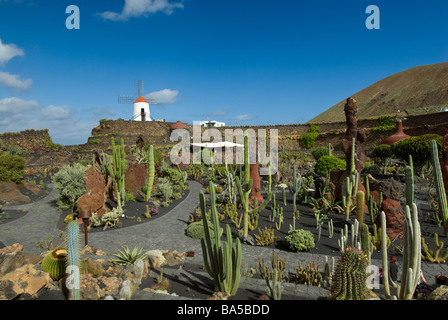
(141, 105)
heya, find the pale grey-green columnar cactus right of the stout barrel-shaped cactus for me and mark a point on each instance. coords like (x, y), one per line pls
(412, 255)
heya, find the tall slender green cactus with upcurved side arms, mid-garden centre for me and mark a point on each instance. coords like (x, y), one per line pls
(244, 191)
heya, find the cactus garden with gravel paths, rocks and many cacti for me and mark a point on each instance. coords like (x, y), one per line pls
(335, 221)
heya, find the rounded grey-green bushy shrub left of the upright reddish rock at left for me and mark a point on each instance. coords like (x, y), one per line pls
(69, 181)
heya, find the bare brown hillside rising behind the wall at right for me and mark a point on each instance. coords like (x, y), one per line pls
(419, 90)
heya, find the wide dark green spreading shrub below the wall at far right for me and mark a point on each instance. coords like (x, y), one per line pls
(418, 147)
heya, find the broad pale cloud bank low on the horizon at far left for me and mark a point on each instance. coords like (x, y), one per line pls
(64, 127)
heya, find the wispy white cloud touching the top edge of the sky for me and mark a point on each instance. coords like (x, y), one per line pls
(138, 8)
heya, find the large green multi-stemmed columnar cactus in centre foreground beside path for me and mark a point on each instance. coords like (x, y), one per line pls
(222, 263)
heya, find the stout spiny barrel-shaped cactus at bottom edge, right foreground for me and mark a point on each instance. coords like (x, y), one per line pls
(349, 280)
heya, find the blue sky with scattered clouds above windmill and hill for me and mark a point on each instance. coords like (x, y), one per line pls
(237, 61)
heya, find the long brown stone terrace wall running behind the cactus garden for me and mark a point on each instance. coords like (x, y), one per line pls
(43, 154)
